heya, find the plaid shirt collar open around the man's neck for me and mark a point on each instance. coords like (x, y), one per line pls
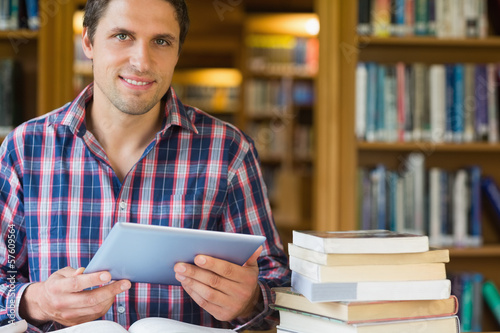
(176, 113)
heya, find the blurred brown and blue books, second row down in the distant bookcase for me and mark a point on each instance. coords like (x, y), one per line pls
(276, 97)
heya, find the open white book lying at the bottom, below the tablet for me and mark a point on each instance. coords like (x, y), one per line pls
(145, 325)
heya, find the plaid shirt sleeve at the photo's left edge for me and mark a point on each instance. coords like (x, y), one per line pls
(13, 254)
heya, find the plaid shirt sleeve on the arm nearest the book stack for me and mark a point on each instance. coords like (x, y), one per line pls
(248, 211)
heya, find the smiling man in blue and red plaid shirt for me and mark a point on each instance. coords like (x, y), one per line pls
(127, 150)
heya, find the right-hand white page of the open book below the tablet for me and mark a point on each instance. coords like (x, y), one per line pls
(161, 325)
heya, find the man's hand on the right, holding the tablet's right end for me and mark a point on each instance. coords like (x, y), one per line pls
(227, 291)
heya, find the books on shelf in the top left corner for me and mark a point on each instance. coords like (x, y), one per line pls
(19, 14)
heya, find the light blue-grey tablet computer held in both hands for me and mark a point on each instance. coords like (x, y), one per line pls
(148, 253)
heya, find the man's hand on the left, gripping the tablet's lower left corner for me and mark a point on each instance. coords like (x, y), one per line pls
(62, 297)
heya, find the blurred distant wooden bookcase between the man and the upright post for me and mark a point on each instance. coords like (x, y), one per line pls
(275, 125)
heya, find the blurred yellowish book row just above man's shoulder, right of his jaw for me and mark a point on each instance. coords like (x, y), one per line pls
(211, 99)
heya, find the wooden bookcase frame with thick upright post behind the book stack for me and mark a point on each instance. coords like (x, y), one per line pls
(339, 153)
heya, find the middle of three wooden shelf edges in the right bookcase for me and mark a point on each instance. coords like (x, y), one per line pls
(477, 147)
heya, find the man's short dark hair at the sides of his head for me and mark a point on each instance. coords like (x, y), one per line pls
(94, 10)
